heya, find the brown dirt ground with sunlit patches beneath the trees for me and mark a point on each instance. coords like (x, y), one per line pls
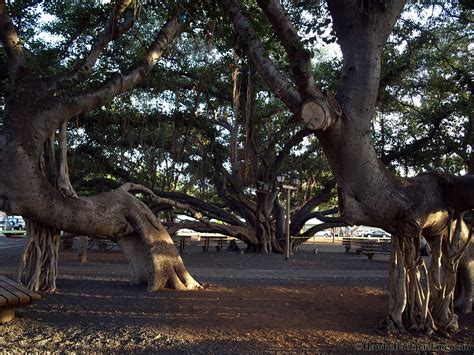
(326, 302)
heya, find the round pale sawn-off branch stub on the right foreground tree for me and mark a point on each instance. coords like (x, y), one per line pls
(319, 115)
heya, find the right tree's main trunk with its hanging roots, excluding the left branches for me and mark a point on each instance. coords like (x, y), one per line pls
(370, 195)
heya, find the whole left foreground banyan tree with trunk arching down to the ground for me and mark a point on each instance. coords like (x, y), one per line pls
(36, 182)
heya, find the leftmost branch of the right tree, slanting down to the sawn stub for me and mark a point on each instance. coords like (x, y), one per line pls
(280, 85)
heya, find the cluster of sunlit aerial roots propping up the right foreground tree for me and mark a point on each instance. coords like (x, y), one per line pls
(425, 305)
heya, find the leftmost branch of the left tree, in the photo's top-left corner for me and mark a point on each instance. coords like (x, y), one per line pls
(11, 43)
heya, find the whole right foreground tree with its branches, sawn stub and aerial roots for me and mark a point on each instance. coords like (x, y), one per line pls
(369, 193)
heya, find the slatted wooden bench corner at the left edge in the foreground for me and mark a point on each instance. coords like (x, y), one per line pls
(13, 295)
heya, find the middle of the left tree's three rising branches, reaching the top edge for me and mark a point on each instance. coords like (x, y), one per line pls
(112, 31)
